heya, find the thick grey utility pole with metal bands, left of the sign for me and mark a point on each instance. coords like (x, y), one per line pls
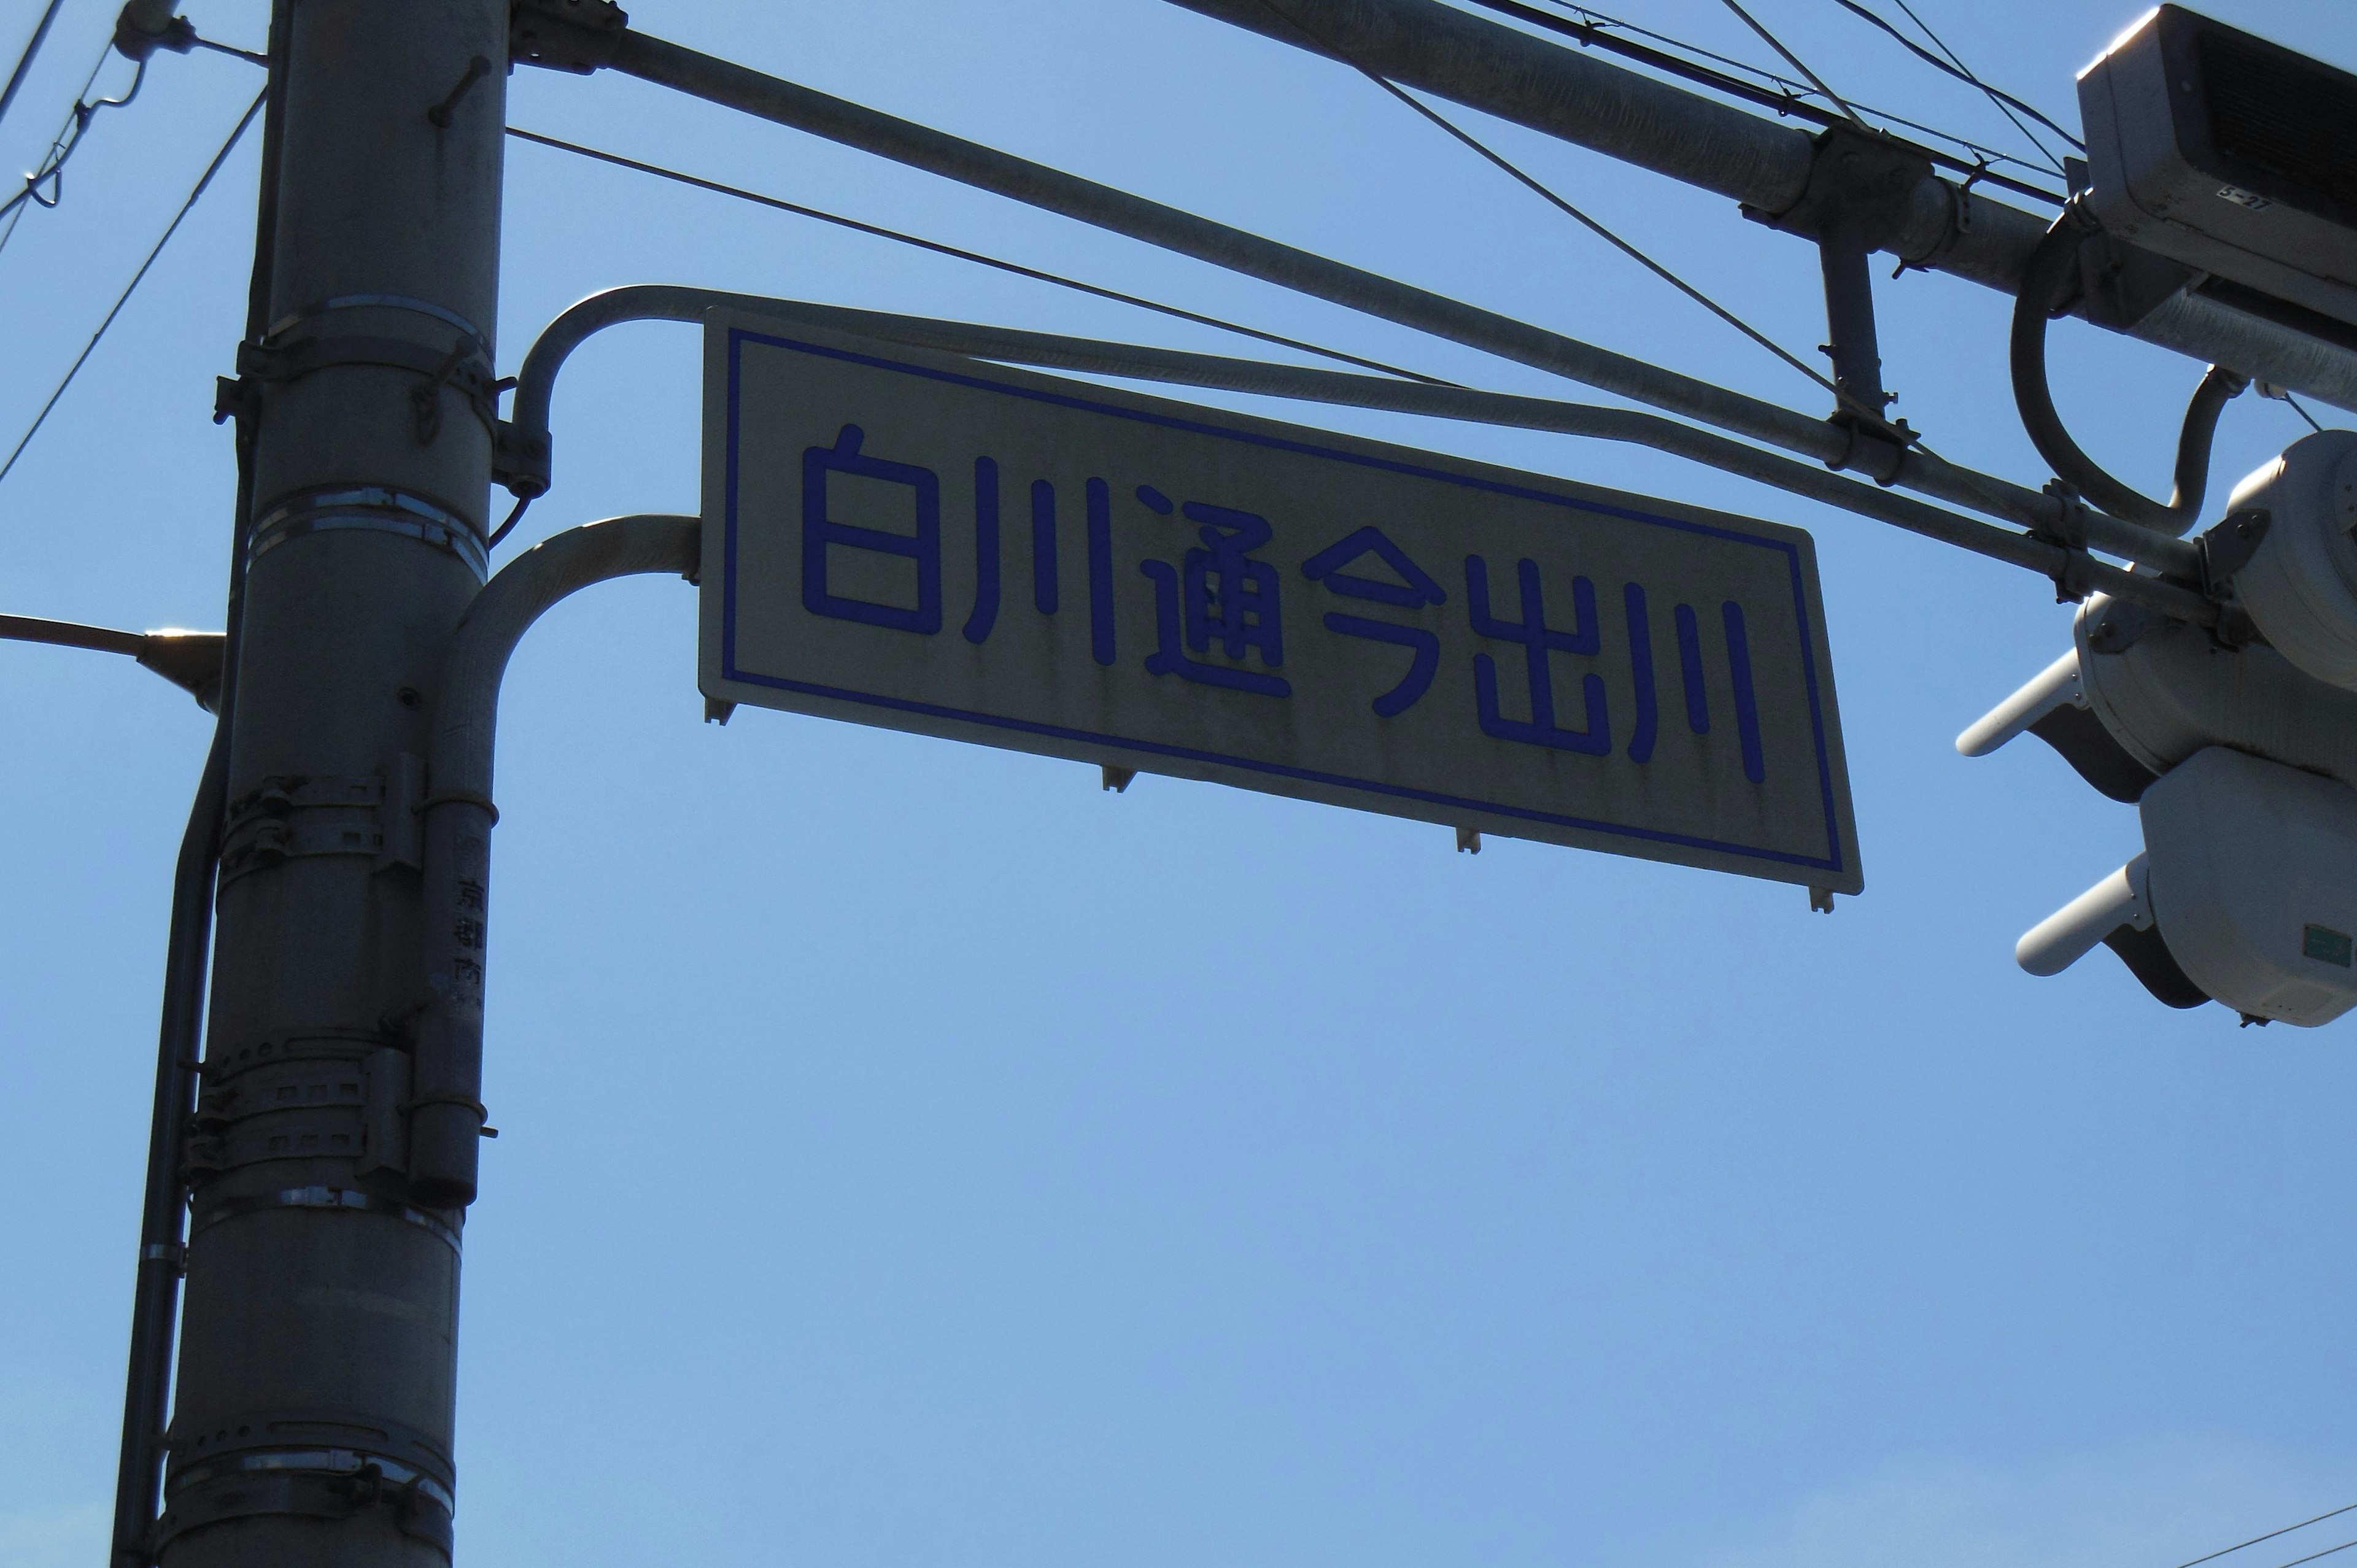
(319, 1348)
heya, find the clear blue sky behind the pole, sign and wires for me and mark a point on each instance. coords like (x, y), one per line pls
(918, 1157)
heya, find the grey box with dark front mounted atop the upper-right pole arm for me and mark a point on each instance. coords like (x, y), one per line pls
(2231, 154)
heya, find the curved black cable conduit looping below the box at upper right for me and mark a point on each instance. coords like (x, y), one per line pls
(2042, 284)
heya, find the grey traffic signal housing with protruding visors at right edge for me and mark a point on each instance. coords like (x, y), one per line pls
(2238, 753)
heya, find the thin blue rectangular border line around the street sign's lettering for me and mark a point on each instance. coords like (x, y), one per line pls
(1253, 765)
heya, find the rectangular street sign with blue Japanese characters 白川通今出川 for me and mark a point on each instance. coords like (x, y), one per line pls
(953, 548)
